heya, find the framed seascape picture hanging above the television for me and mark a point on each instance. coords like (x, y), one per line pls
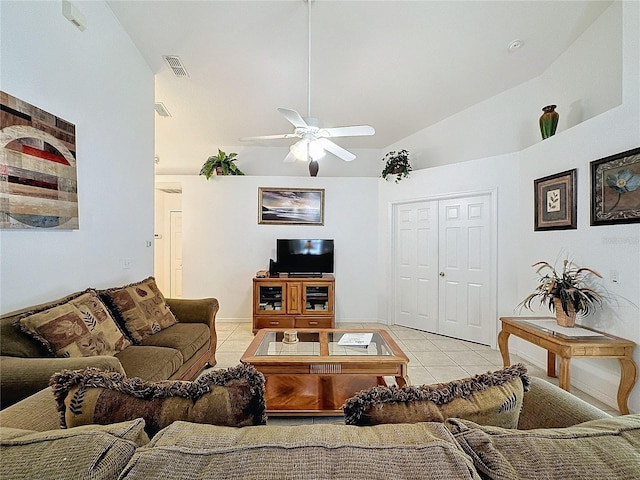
(291, 206)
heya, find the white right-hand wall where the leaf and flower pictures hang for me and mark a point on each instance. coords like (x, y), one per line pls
(603, 248)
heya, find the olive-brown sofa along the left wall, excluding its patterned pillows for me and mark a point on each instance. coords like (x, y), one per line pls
(180, 351)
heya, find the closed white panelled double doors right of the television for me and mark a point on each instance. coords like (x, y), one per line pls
(444, 277)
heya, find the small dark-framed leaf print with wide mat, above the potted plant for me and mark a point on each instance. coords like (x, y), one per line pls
(555, 201)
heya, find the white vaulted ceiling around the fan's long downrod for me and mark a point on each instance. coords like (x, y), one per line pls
(399, 66)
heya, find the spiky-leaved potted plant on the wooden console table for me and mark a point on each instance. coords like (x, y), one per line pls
(566, 292)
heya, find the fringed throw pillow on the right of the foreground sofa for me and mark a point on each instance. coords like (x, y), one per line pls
(490, 398)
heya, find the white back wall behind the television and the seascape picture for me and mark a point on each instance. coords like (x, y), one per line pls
(224, 246)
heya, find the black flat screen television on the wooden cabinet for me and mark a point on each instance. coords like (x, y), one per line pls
(304, 256)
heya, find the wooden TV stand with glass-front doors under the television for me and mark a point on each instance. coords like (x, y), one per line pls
(294, 302)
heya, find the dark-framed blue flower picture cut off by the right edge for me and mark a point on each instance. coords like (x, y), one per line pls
(615, 189)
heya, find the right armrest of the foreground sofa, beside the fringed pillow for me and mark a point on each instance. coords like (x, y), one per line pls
(548, 406)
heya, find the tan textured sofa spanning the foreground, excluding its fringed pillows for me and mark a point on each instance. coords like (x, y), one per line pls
(552, 442)
